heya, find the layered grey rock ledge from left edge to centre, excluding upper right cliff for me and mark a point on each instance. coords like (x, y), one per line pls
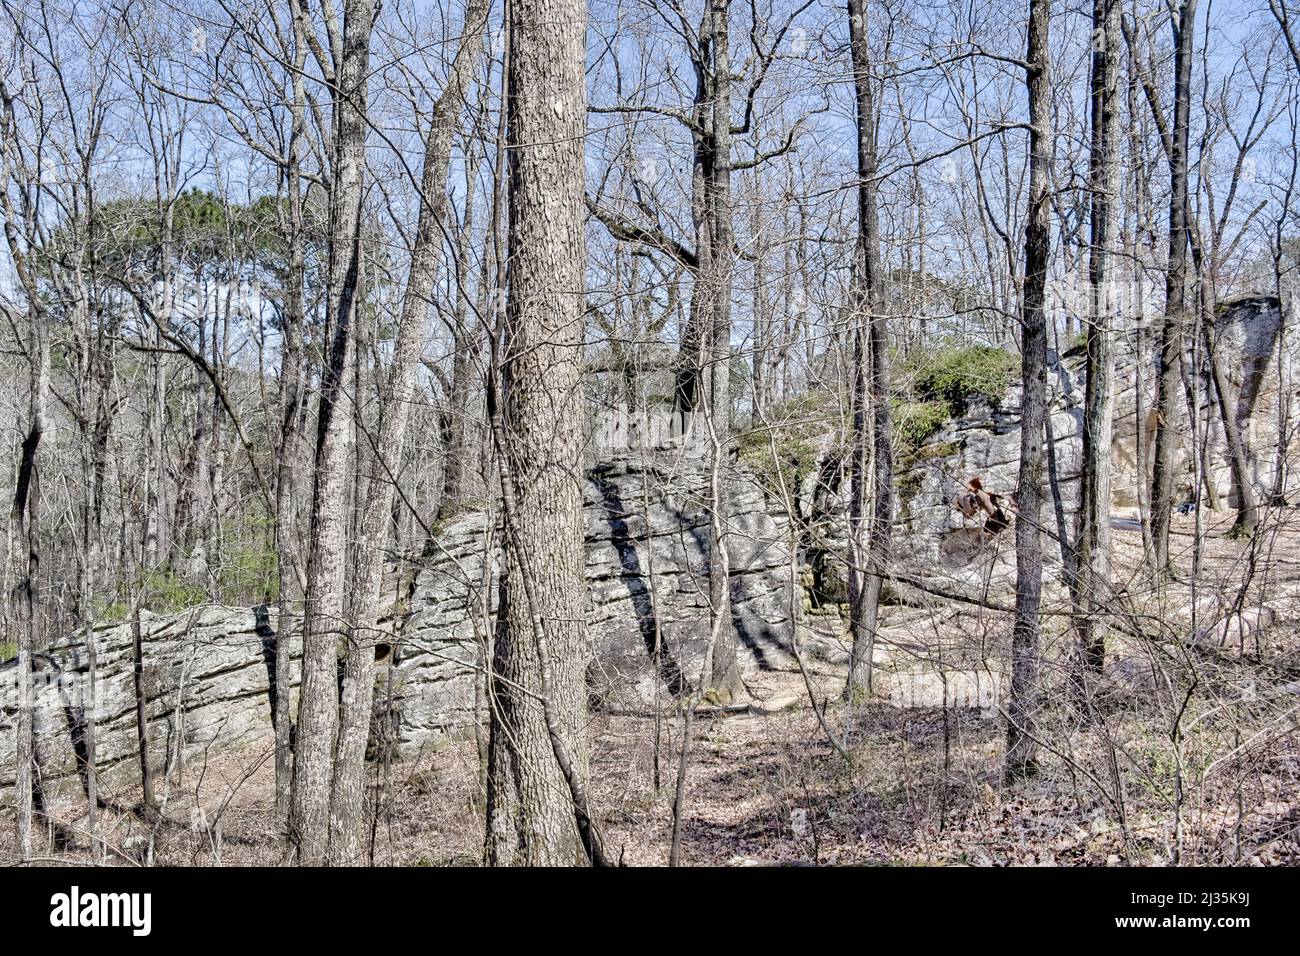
(209, 673)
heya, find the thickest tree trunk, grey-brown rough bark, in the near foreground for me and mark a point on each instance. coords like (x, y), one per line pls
(539, 760)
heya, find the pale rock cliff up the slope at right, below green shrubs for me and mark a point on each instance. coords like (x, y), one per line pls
(1260, 356)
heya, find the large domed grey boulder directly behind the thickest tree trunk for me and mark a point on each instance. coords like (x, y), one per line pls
(648, 585)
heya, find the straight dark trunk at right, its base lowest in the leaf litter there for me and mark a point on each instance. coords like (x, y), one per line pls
(1022, 711)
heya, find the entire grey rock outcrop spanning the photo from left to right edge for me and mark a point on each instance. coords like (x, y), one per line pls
(209, 672)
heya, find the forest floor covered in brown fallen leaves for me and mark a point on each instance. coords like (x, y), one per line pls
(1193, 755)
